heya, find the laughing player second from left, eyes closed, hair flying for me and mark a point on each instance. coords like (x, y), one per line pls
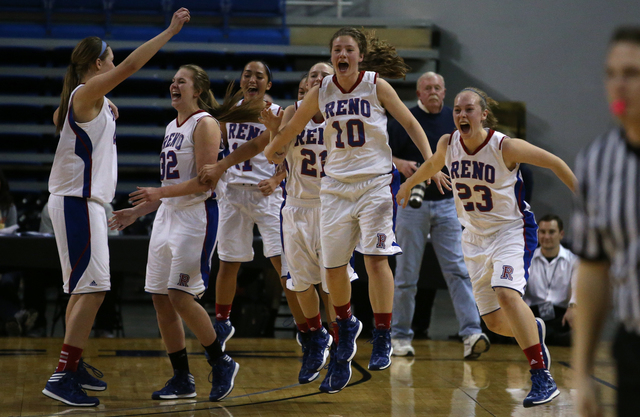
(185, 229)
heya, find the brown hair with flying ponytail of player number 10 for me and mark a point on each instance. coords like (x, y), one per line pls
(379, 55)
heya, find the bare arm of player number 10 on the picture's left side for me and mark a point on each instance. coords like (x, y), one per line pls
(287, 133)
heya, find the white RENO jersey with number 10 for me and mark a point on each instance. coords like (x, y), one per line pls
(356, 129)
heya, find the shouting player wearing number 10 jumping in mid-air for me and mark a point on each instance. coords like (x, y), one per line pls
(357, 192)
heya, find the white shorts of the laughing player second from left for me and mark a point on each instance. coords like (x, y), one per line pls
(182, 242)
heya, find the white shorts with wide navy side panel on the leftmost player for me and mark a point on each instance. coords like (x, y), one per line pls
(80, 227)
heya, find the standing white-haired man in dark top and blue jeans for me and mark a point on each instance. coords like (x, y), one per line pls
(436, 217)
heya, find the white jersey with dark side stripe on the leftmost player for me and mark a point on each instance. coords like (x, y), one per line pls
(86, 161)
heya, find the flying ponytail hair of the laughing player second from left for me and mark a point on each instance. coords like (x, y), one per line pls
(228, 111)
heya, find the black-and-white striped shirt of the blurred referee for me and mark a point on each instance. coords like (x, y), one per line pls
(606, 220)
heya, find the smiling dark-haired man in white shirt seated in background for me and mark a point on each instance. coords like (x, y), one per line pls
(551, 286)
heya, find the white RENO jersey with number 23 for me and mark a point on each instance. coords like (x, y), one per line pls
(490, 197)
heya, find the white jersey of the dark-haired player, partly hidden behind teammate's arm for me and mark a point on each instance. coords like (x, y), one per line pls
(257, 168)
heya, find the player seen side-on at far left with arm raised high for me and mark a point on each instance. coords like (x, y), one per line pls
(83, 177)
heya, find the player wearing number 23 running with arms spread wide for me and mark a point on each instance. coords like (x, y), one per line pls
(500, 231)
